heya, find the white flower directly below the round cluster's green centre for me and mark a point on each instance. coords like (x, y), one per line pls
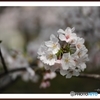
(67, 61)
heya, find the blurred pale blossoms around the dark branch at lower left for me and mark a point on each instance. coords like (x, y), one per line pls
(17, 60)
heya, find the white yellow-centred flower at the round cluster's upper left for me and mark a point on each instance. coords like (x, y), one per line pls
(53, 44)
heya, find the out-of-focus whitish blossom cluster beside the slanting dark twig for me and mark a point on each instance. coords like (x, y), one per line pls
(16, 59)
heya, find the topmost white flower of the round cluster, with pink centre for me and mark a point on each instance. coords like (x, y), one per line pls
(67, 35)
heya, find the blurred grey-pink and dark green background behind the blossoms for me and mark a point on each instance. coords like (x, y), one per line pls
(25, 28)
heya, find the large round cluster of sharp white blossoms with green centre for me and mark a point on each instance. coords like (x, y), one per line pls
(68, 50)
